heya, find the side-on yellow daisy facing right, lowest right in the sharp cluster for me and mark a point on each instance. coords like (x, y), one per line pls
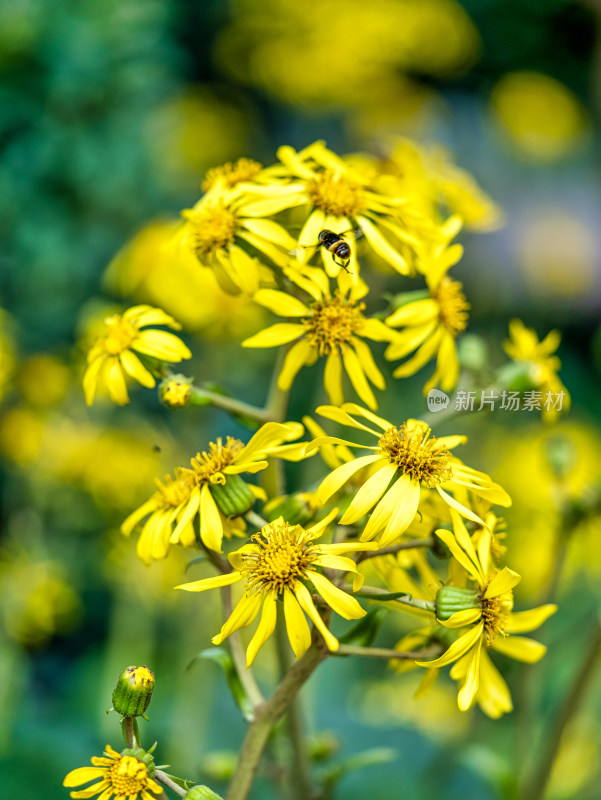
(489, 613)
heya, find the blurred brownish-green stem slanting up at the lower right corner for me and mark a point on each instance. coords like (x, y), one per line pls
(535, 787)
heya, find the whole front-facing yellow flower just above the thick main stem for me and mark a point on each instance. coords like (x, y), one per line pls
(277, 564)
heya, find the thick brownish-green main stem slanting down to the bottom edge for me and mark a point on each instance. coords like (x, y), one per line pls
(266, 717)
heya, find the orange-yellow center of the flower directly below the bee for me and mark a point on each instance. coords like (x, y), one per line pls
(332, 322)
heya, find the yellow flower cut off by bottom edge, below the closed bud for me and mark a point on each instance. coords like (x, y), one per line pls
(121, 776)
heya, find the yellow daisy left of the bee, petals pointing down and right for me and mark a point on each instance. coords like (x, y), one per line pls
(219, 229)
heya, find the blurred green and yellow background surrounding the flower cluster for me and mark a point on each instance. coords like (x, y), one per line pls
(110, 115)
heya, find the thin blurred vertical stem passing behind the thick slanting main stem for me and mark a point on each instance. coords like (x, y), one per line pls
(299, 778)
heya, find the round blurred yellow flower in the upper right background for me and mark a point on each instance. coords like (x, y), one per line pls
(543, 119)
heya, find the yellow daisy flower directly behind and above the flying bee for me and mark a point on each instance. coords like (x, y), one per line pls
(341, 199)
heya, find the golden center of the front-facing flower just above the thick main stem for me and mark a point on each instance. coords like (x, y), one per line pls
(279, 560)
